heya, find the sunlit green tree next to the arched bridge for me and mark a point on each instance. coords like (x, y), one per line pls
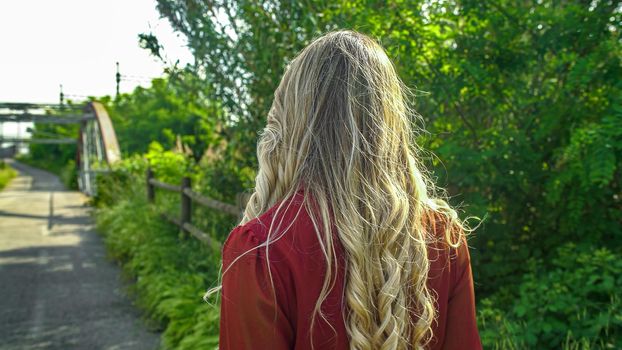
(173, 107)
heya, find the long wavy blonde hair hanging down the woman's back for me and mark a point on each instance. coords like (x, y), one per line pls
(341, 128)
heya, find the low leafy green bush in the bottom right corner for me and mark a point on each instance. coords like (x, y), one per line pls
(573, 305)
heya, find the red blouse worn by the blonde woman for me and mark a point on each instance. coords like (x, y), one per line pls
(250, 319)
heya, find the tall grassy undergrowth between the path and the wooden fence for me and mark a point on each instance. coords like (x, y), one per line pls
(170, 270)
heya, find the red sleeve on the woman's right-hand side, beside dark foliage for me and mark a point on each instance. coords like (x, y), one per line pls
(461, 331)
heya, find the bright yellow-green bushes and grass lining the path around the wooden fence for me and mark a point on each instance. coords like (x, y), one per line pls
(170, 269)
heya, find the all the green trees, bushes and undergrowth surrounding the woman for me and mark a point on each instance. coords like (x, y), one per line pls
(523, 104)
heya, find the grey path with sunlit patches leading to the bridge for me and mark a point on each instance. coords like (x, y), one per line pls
(57, 290)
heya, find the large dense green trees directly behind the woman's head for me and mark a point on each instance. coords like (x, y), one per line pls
(522, 101)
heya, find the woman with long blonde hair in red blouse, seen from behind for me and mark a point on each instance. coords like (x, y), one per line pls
(345, 243)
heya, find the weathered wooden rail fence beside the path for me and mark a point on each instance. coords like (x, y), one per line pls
(188, 197)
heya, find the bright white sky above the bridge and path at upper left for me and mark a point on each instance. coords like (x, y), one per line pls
(76, 43)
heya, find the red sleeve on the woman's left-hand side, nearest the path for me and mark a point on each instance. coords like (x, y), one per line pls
(249, 317)
